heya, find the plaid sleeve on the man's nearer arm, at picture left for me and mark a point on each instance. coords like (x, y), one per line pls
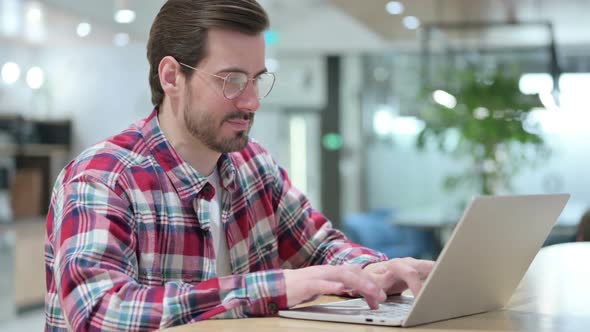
(91, 236)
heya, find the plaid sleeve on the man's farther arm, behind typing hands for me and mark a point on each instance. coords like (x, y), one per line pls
(306, 237)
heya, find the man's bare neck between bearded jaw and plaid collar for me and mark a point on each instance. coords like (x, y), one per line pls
(192, 150)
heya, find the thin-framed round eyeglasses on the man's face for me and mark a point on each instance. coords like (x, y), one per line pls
(235, 83)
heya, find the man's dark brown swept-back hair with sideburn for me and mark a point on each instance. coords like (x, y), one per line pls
(180, 30)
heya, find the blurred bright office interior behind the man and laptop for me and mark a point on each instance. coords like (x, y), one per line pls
(389, 115)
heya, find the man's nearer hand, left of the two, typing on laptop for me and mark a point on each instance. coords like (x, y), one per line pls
(311, 282)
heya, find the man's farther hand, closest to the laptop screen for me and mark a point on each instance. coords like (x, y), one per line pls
(398, 274)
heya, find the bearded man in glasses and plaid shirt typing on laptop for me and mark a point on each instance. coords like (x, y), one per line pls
(182, 217)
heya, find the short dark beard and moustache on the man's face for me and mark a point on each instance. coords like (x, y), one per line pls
(206, 128)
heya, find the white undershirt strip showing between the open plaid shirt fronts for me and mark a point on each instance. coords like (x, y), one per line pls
(217, 231)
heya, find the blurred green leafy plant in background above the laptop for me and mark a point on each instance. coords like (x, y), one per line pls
(487, 122)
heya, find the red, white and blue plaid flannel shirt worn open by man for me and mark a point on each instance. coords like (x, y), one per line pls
(128, 244)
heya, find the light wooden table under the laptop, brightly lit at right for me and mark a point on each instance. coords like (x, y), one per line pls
(553, 296)
